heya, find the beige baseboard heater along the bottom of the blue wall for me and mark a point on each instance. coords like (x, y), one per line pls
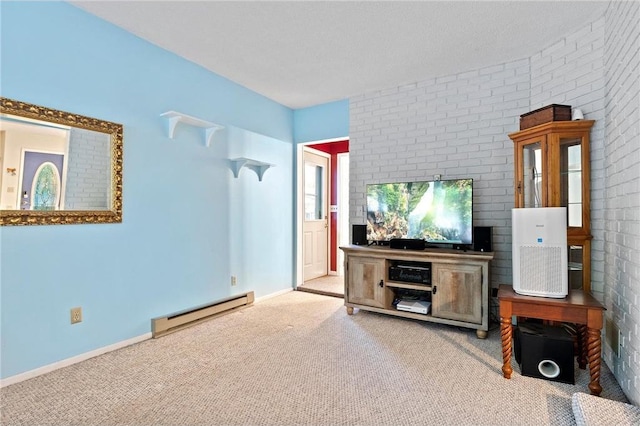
(179, 320)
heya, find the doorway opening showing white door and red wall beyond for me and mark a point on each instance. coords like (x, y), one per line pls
(323, 216)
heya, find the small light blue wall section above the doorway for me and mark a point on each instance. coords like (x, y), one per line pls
(321, 122)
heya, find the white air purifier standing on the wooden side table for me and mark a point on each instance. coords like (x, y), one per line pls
(539, 251)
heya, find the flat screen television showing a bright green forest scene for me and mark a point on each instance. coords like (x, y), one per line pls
(439, 212)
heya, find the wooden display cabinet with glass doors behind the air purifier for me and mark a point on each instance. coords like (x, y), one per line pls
(552, 170)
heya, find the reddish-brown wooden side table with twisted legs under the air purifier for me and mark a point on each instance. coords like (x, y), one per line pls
(578, 307)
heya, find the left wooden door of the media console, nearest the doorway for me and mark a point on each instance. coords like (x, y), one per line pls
(366, 284)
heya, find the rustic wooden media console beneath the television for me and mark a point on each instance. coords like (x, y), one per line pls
(459, 289)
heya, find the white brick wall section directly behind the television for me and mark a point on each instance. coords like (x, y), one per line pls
(455, 126)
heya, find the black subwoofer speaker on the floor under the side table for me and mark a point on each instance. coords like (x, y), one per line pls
(545, 352)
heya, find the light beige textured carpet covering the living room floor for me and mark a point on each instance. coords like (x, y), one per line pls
(298, 358)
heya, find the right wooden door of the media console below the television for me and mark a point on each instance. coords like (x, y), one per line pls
(458, 292)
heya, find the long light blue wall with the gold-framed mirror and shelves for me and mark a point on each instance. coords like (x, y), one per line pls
(187, 223)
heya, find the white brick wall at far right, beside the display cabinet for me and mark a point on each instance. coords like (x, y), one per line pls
(621, 189)
